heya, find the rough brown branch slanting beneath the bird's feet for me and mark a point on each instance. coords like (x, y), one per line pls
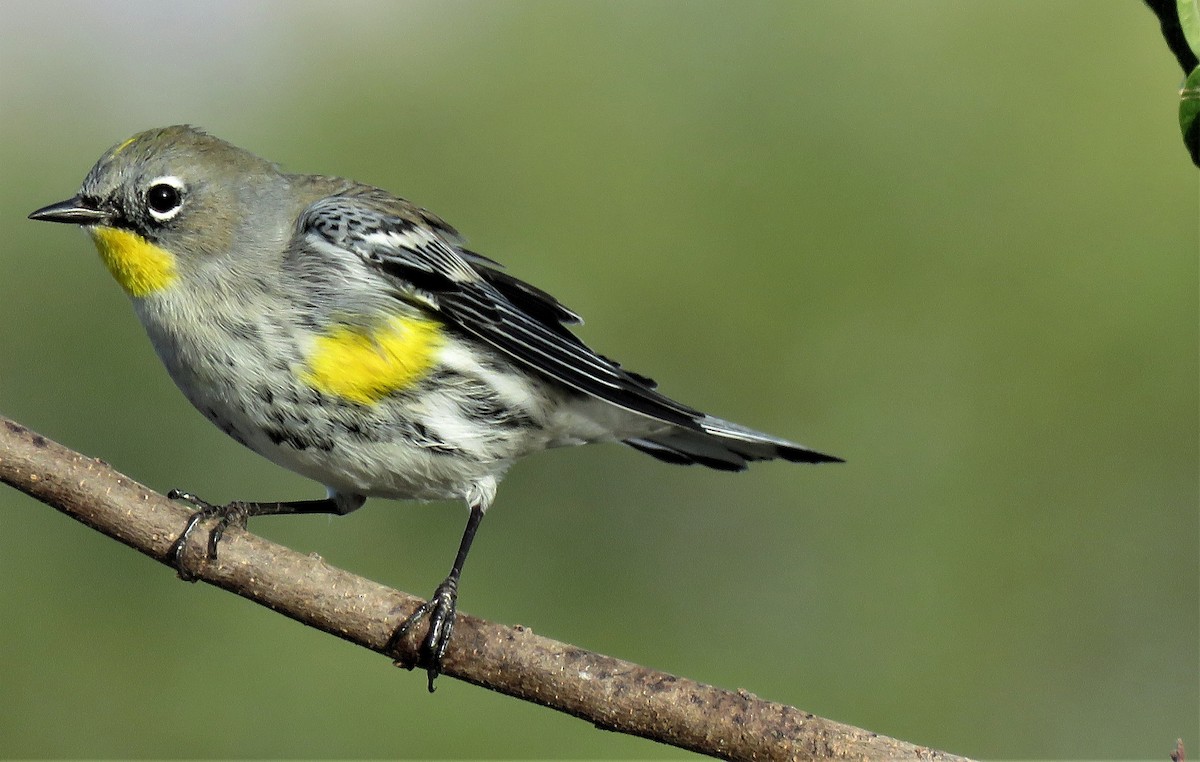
(610, 693)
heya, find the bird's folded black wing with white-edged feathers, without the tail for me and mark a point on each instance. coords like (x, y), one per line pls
(424, 260)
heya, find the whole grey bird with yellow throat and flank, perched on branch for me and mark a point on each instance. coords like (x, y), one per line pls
(350, 337)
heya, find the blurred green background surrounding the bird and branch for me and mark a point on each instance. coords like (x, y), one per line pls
(953, 243)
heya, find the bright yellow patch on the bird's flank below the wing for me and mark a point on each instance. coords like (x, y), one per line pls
(365, 367)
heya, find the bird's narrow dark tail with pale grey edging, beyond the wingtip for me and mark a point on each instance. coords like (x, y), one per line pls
(724, 446)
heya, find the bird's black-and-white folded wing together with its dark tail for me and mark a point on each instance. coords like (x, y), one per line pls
(425, 260)
